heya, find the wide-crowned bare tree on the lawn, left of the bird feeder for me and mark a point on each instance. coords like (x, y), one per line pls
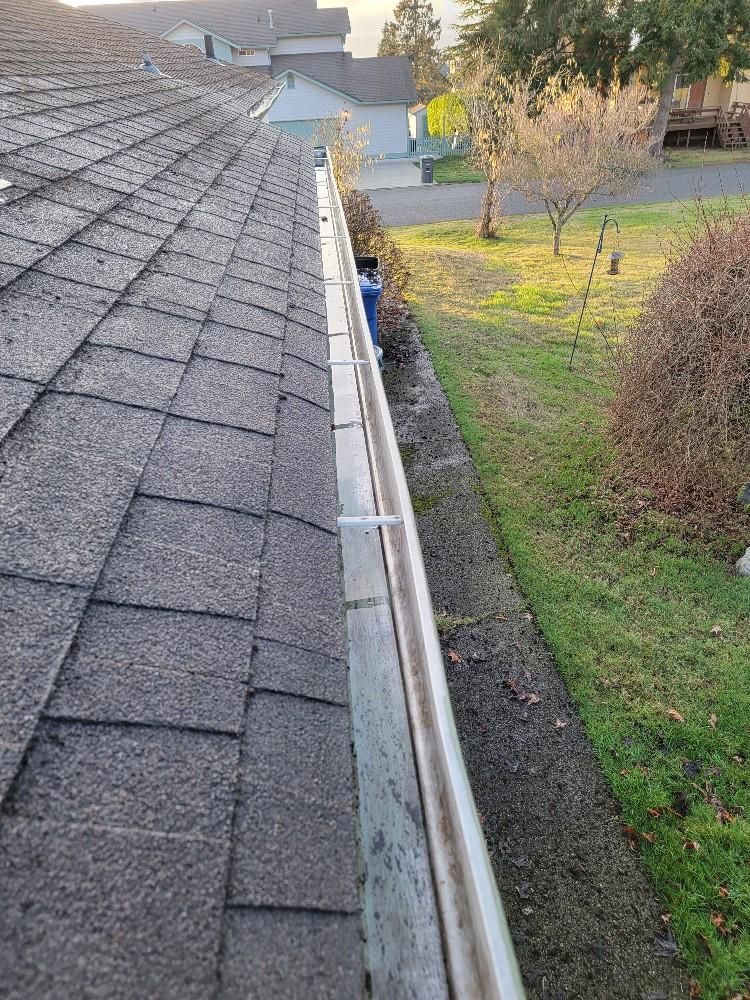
(570, 142)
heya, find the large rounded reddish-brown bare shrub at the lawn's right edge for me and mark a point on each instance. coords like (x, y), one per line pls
(681, 417)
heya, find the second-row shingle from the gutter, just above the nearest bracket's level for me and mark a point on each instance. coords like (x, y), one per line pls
(210, 464)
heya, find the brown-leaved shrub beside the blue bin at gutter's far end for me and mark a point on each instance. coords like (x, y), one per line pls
(370, 239)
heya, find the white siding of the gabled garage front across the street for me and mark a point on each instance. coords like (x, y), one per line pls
(308, 102)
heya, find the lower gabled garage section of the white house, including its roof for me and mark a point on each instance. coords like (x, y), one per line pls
(375, 92)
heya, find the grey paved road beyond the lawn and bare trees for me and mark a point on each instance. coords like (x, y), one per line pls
(447, 202)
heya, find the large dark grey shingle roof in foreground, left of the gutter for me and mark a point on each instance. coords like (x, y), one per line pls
(178, 816)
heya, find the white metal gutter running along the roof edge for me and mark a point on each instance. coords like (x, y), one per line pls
(479, 961)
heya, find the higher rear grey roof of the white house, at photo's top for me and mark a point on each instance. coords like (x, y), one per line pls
(244, 22)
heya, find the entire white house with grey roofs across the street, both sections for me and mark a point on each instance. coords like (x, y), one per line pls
(302, 47)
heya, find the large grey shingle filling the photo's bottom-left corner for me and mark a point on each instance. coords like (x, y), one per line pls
(83, 908)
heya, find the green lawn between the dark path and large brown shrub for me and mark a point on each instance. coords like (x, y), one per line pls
(644, 619)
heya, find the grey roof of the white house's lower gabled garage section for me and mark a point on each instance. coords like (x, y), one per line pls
(376, 79)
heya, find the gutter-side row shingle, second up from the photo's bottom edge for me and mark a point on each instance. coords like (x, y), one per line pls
(295, 828)
